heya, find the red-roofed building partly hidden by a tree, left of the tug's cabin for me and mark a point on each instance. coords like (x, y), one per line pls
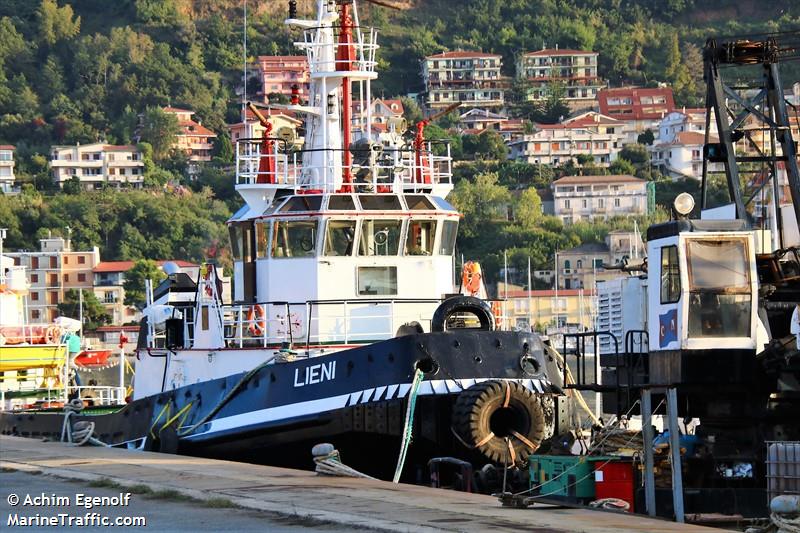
(109, 277)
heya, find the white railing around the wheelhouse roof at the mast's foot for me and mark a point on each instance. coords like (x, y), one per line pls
(378, 169)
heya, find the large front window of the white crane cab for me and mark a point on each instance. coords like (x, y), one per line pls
(719, 288)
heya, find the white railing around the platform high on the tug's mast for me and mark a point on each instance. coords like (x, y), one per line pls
(316, 43)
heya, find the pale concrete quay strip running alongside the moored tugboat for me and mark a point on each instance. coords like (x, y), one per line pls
(355, 503)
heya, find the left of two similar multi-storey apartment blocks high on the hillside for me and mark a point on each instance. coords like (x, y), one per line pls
(472, 78)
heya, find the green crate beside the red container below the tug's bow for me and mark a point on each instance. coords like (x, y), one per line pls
(563, 476)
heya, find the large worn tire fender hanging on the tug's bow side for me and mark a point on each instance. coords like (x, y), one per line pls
(472, 420)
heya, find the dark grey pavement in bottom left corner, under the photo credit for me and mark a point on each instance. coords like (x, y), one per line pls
(162, 512)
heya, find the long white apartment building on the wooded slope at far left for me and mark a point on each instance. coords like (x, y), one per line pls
(98, 165)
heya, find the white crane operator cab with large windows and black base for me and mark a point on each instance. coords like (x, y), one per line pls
(702, 301)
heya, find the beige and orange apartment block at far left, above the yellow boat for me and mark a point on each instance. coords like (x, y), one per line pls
(52, 271)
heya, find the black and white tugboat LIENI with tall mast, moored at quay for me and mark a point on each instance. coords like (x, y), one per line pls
(347, 325)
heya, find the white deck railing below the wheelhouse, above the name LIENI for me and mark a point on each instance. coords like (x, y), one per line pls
(322, 322)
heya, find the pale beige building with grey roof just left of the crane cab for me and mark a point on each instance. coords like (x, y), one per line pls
(585, 265)
